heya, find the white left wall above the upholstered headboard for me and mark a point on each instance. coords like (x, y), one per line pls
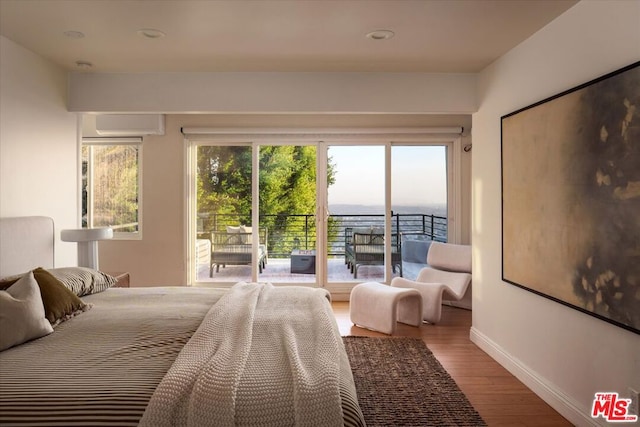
(38, 143)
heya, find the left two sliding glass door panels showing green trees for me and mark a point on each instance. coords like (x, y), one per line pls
(280, 242)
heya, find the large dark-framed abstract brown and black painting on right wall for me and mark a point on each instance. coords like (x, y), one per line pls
(571, 198)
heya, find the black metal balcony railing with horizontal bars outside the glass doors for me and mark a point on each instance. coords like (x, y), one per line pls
(298, 231)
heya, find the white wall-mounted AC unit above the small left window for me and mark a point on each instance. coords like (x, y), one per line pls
(129, 124)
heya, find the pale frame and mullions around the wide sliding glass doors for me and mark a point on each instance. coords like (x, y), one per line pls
(322, 138)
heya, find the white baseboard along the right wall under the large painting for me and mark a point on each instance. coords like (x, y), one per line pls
(565, 405)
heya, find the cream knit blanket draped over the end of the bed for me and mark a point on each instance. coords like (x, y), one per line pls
(262, 355)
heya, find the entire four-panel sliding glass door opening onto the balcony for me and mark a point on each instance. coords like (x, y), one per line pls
(317, 213)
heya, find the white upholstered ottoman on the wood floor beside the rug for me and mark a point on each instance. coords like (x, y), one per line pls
(379, 307)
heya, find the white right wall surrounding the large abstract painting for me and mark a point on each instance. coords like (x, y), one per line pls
(562, 354)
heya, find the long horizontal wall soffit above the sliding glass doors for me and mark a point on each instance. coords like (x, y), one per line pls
(396, 93)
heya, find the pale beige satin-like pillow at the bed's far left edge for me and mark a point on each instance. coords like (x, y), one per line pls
(22, 316)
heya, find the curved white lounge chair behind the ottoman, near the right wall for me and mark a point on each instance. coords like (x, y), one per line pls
(448, 275)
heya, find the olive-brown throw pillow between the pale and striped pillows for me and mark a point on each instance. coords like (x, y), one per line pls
(59, 302)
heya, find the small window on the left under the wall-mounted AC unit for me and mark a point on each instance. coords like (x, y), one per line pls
(111, 174)
